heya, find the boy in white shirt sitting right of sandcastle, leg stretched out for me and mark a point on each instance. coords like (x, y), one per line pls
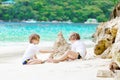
(78, 49)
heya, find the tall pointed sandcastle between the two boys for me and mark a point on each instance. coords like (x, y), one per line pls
(60, 45)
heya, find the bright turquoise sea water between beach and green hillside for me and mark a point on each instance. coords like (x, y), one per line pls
(19, 32)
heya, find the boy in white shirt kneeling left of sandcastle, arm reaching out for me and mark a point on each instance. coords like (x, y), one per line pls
(29, 56)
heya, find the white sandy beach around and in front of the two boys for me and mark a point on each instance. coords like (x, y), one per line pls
(12, 69)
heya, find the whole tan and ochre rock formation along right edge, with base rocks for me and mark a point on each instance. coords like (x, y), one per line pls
(107, 42)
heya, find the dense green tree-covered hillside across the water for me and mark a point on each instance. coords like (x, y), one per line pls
(60, 10)
